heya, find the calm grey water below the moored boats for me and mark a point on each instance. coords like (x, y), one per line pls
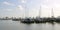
(16, 25)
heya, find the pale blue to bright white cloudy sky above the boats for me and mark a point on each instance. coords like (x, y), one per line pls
(29, 8)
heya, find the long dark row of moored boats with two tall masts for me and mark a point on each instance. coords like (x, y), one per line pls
(41, 20)
